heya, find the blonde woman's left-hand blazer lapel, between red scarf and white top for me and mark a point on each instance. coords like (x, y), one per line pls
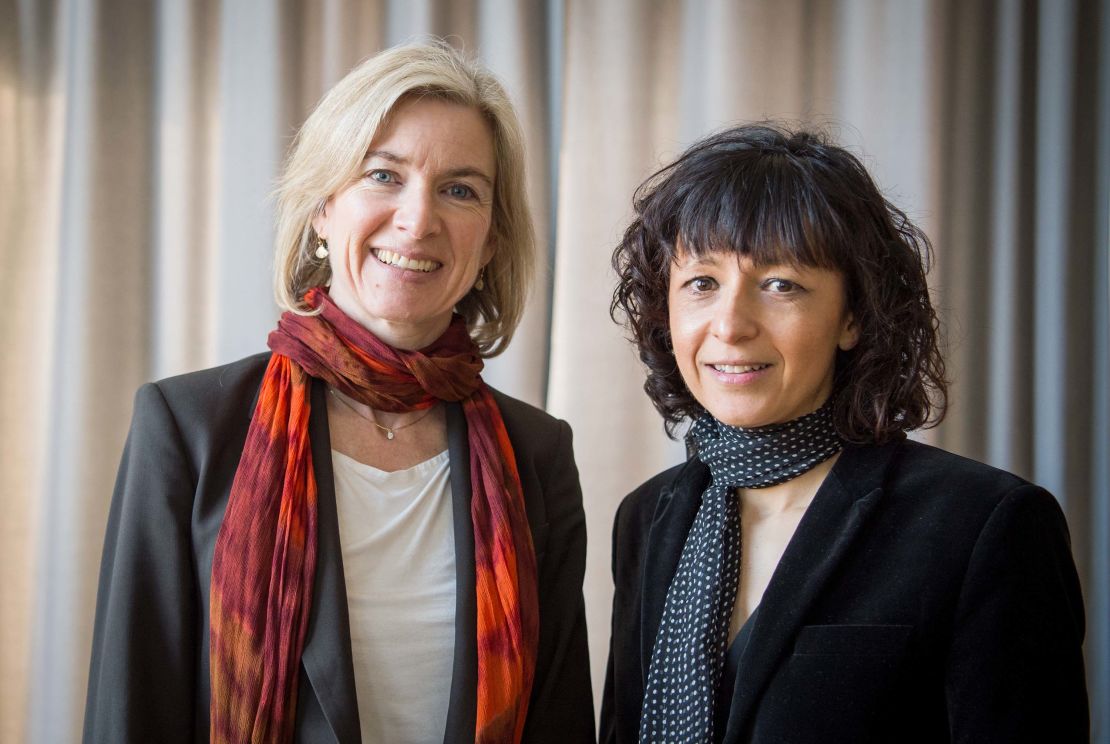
(327, 656)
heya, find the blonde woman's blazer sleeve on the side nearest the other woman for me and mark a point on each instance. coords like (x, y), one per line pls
(562, 706)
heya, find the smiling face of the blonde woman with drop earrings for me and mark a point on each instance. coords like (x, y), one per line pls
(408, 237)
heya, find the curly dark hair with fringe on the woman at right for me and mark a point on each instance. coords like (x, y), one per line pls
(782, 197)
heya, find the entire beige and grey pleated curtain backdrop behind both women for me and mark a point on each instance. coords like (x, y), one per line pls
(139, 144)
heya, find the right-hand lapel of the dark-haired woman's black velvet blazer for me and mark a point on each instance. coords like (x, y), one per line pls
(829, 529)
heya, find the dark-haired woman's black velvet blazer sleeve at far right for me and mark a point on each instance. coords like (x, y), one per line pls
(1015, 672)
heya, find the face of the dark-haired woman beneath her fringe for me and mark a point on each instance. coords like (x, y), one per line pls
(756, 346)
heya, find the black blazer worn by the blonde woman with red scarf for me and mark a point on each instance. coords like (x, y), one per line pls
(149, 679)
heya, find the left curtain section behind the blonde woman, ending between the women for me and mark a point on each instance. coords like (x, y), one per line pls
(139, 146)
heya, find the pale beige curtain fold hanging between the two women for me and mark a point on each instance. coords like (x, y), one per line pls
(622, 71)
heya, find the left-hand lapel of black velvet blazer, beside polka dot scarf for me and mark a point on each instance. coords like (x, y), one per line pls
(674, 515)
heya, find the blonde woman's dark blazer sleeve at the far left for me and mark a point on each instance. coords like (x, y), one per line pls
(145, 646)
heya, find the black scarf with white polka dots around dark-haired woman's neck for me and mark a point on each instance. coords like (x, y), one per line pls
(690, 651)
